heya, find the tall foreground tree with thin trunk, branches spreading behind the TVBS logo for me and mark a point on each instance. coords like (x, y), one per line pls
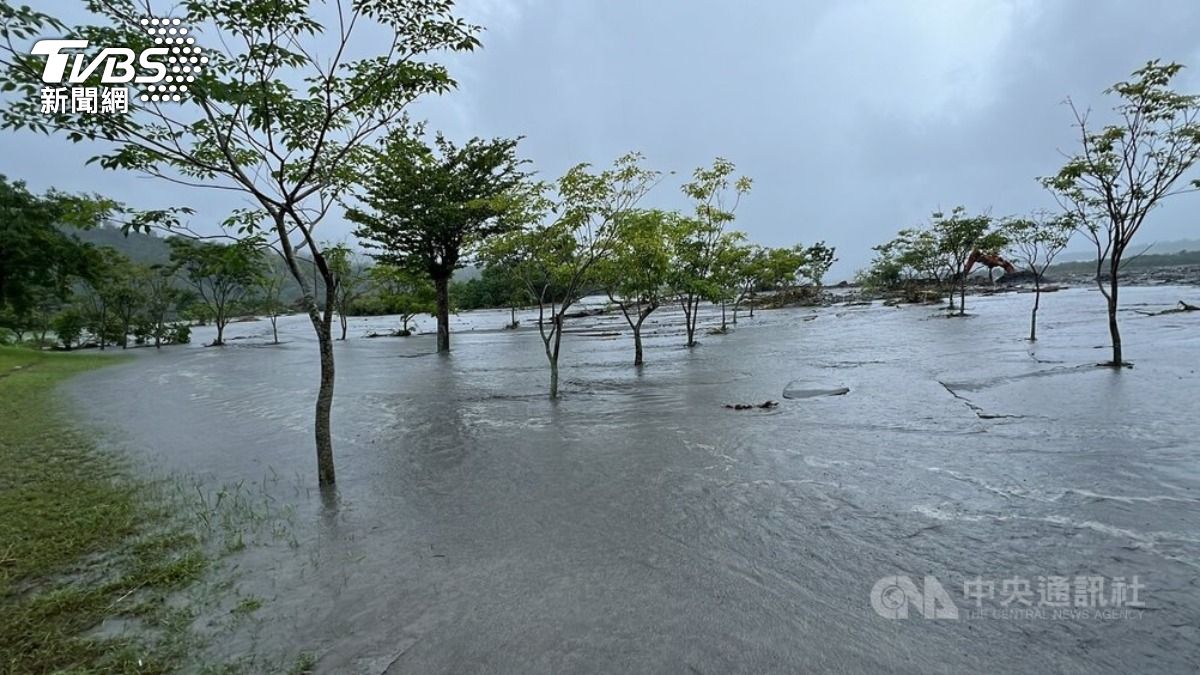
(281, 112)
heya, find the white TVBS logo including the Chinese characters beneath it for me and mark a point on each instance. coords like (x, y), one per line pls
(165, 70)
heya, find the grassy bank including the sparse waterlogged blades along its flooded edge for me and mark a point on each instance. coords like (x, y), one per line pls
(103, 571)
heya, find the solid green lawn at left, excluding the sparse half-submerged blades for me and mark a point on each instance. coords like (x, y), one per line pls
(81, 541)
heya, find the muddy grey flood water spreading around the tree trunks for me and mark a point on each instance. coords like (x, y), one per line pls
(638, 525)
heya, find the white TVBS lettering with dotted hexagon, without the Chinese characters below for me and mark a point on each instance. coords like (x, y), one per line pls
(166, 69)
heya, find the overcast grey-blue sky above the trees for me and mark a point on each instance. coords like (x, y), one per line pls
(855, 118)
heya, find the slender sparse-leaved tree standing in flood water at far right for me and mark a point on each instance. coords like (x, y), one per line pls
(1126, 169)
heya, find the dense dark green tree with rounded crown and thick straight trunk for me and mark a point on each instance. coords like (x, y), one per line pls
(428, 208)
